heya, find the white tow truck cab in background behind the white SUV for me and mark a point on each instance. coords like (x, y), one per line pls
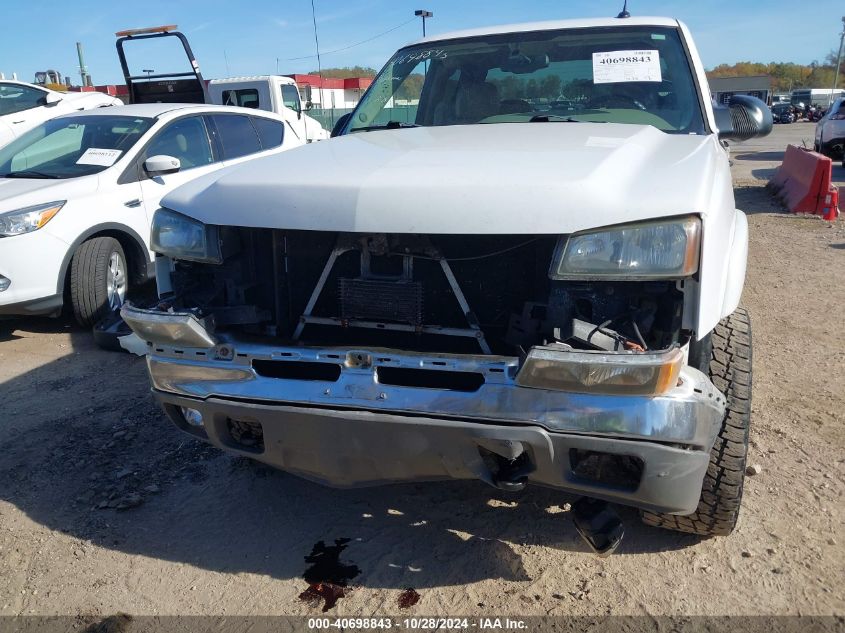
(275, 93)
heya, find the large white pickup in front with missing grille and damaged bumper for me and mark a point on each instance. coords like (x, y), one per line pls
(519, 262)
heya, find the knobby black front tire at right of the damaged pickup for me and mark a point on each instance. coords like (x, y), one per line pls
(721, 493)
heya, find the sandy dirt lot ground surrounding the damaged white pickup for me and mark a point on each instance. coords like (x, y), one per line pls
(105, 508)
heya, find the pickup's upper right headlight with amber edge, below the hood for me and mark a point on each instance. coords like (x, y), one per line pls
(658, 249)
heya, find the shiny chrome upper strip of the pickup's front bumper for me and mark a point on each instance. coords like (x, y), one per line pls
(689, 414)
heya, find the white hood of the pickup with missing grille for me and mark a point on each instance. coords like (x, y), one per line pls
(529, 178)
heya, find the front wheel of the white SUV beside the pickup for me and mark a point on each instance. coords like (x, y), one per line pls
(98, 279)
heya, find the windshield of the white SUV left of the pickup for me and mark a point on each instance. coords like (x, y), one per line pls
(71, 146)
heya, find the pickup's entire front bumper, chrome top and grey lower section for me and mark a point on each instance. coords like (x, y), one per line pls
(354, 417)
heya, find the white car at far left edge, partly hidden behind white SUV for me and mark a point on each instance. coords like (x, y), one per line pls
(23, 106)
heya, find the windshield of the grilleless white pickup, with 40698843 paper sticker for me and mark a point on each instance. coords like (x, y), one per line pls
(637, 75)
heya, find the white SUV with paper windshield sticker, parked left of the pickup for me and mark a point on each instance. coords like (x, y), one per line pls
(77, 194)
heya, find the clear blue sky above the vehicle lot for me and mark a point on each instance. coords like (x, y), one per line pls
(252, 37)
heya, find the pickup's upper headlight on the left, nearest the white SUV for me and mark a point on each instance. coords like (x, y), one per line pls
(181, 237)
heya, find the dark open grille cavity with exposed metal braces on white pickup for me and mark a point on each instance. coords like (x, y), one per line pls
(442, 293)
